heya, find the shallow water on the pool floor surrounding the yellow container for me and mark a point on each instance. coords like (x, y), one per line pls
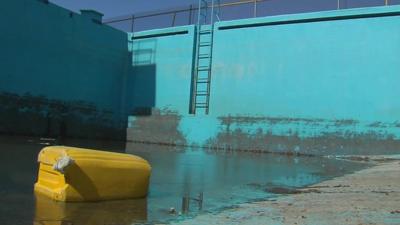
(224, 179)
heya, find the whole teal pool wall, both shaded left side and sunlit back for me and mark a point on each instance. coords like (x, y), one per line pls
(315, 83)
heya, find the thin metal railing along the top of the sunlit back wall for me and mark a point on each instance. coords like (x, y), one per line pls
(231, 10)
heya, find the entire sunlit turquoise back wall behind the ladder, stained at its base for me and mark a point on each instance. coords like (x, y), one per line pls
(315, 83)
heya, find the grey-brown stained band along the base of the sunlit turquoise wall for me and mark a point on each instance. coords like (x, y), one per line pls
(267, 134)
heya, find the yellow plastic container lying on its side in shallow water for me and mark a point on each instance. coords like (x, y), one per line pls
(76, 174)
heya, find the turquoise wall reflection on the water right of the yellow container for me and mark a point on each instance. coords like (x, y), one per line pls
(225, 178)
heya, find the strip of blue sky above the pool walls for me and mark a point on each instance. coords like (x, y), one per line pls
(125, 8)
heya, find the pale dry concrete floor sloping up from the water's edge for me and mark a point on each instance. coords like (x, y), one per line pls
(369, 196)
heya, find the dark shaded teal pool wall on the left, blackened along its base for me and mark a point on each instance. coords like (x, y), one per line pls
(62, 73)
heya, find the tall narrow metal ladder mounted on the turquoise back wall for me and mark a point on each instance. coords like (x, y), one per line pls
(203, 56)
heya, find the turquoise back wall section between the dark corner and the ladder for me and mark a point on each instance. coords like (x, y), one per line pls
(164, 99)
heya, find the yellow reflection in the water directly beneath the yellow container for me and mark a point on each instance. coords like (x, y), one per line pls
(126, 212)
